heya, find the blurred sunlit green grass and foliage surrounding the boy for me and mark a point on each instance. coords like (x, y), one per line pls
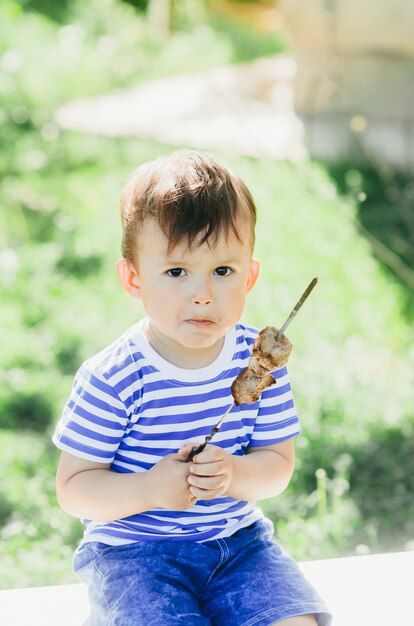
(352, 367)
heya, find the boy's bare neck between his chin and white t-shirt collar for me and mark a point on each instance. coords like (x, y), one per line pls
(178, 355)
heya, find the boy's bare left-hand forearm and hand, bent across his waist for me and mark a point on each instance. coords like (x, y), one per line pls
(93, 491)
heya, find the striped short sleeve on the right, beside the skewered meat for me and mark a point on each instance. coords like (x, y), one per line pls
(276, 420)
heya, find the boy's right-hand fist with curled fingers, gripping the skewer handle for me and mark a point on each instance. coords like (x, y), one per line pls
(211, 472)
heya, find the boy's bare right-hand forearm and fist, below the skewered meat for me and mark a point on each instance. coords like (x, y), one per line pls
(262, 473)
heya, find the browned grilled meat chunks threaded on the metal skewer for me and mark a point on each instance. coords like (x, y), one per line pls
(268, 354)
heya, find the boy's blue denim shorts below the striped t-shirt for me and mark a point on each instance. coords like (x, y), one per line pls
(242, 580)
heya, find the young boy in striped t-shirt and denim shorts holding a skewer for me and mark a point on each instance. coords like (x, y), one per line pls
(170, 542)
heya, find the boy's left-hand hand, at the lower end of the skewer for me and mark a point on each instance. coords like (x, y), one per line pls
(169, 482)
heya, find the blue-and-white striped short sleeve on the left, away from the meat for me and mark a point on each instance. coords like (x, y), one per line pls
(93, 421)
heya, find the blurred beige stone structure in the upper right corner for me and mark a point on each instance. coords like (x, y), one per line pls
(354, 87)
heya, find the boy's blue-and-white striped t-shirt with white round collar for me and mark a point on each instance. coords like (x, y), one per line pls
(130, 407)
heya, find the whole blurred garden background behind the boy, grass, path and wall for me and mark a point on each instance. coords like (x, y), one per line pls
(312, 104)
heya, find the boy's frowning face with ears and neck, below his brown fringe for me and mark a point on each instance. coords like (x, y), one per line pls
(191, 296)
